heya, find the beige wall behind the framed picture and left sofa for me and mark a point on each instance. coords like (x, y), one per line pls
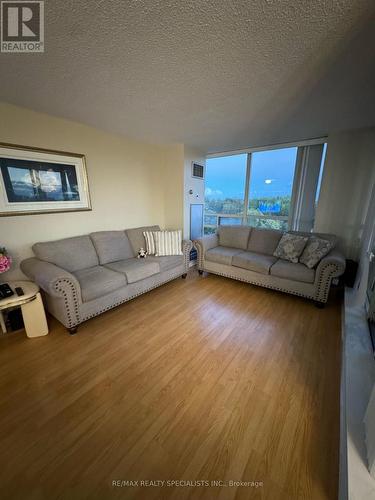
(131, 183)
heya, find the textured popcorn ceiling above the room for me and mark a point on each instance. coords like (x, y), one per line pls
(217, 75)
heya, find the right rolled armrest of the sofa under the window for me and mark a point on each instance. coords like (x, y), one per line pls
(331, 266)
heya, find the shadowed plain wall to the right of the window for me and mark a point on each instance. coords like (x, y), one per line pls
(349, 175)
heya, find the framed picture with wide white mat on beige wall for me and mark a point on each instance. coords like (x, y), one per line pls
(35, 181)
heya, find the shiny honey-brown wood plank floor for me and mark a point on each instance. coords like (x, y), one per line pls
(203, 379)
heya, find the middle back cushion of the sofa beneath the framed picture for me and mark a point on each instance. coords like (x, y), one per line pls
(112, 246)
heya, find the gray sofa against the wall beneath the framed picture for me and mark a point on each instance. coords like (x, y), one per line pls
(84, 276)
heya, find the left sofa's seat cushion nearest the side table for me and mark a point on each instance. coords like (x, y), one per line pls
(98, 281)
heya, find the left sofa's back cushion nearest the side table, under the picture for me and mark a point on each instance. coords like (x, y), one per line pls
(71, 254)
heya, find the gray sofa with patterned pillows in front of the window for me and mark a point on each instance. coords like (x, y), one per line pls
(246, 254)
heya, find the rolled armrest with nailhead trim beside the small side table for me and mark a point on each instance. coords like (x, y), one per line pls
(52, 279)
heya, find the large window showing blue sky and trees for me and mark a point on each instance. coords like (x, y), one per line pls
(275, 188)
